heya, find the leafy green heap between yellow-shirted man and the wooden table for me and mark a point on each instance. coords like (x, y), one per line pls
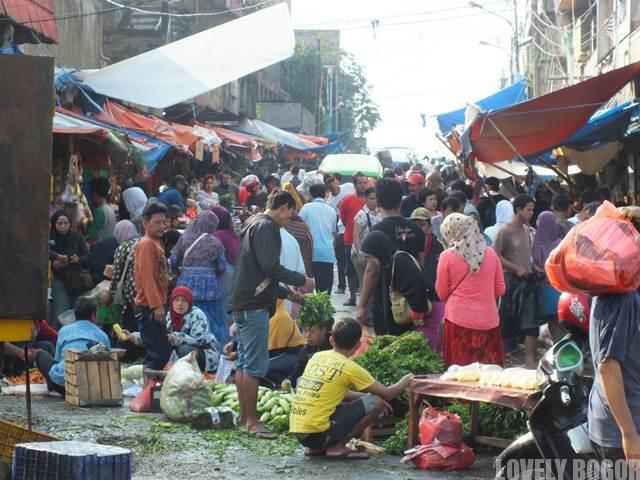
(390, 358)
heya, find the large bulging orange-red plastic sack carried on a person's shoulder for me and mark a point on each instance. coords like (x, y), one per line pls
(599, 256)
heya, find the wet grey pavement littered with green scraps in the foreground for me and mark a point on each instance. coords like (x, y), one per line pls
(164, 450)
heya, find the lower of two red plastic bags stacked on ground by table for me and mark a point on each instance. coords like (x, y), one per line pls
(441, 457)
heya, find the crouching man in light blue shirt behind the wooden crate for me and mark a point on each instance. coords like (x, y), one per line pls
(82, 334)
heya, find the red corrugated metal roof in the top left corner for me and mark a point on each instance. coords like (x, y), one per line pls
(31, 17)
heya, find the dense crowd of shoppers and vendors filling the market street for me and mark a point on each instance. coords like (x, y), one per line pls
(219, 268)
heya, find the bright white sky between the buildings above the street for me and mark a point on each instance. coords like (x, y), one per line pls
(429, 63)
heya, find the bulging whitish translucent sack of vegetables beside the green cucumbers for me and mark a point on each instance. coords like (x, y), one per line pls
(184, 390)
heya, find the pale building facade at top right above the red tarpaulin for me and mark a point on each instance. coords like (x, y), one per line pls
(573, 40)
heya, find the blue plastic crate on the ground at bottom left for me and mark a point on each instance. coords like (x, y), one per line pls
(71, 461)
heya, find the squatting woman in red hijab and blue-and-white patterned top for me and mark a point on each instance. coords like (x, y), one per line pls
(188, 330)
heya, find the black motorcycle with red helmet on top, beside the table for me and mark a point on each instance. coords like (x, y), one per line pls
(557, 440)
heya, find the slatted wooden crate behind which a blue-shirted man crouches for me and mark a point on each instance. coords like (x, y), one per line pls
(92, 379)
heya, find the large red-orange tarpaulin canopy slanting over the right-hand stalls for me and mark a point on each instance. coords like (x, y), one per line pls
(544, 122)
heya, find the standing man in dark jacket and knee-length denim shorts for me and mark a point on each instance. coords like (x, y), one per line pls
(256, 287)
